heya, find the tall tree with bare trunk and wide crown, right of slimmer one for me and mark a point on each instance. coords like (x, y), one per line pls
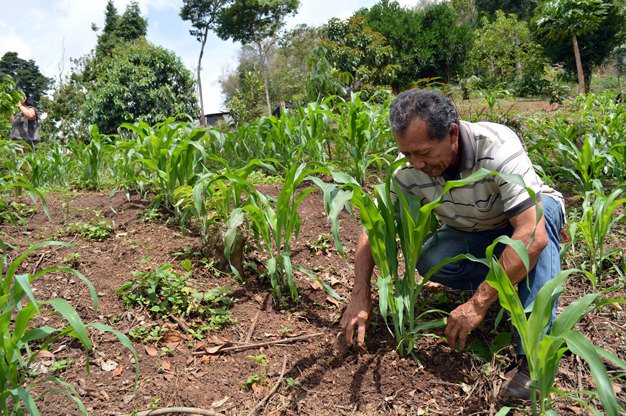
(256, 22)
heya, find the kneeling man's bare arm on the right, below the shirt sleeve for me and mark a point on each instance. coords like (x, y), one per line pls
(468, 316)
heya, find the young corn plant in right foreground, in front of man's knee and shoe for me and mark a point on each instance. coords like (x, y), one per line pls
(544, 346)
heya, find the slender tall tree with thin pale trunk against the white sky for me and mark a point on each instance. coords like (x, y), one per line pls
(203, 15)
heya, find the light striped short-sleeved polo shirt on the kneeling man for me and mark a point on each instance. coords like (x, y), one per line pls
(489, 203)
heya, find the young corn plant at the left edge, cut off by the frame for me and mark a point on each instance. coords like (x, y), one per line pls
(20, 342)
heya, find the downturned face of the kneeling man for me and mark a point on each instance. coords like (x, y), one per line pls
(424, 153)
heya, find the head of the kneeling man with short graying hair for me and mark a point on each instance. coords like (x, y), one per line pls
(426, 127)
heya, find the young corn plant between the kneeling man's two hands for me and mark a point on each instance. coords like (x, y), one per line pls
(386, 222)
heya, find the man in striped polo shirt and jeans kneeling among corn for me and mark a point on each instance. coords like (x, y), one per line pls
(440, 147)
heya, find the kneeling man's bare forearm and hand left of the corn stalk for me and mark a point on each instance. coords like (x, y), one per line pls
(358, 313)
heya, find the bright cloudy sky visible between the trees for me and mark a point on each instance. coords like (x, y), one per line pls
(51, 32)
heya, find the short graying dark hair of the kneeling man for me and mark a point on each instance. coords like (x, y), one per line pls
(435, 109)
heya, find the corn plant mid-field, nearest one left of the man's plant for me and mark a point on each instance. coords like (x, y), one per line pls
(276, 223)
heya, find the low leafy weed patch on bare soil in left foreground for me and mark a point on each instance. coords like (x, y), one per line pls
(163, 291)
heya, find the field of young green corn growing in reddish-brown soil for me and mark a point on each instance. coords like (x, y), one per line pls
(176, 266)
